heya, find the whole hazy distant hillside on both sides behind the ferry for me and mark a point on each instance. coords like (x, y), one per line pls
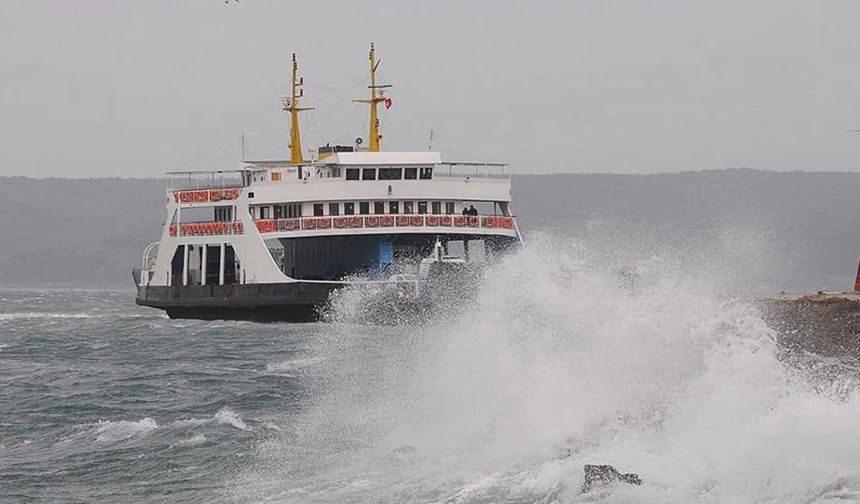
(755, 230)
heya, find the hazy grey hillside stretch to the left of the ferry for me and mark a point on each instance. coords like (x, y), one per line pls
(81, 232)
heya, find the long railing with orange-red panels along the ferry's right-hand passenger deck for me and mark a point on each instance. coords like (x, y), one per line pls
(456, 221)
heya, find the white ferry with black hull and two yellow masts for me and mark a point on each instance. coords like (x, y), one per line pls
(273, 239)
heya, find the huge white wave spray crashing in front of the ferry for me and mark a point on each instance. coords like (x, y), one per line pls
(550, 367)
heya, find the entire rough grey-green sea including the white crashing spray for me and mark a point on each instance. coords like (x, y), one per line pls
(550, 367)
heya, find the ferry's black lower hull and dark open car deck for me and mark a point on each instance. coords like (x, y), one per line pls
(313, 268)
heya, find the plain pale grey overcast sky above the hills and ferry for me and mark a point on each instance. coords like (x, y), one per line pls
(137, 88)
